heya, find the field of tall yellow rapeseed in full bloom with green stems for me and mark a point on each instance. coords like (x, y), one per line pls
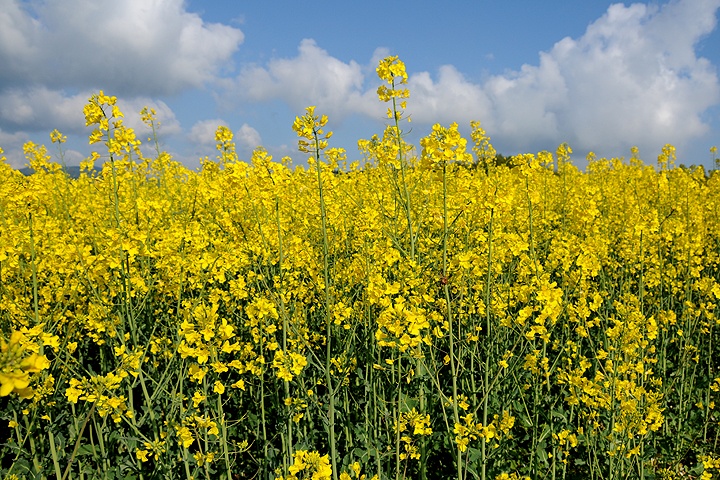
(427, 312)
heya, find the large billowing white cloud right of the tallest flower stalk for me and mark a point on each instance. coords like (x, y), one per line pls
(633, 78)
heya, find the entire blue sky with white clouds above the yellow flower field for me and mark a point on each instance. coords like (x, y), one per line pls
(599, 75)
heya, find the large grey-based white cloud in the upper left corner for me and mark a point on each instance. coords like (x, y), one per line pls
(56, 53)
